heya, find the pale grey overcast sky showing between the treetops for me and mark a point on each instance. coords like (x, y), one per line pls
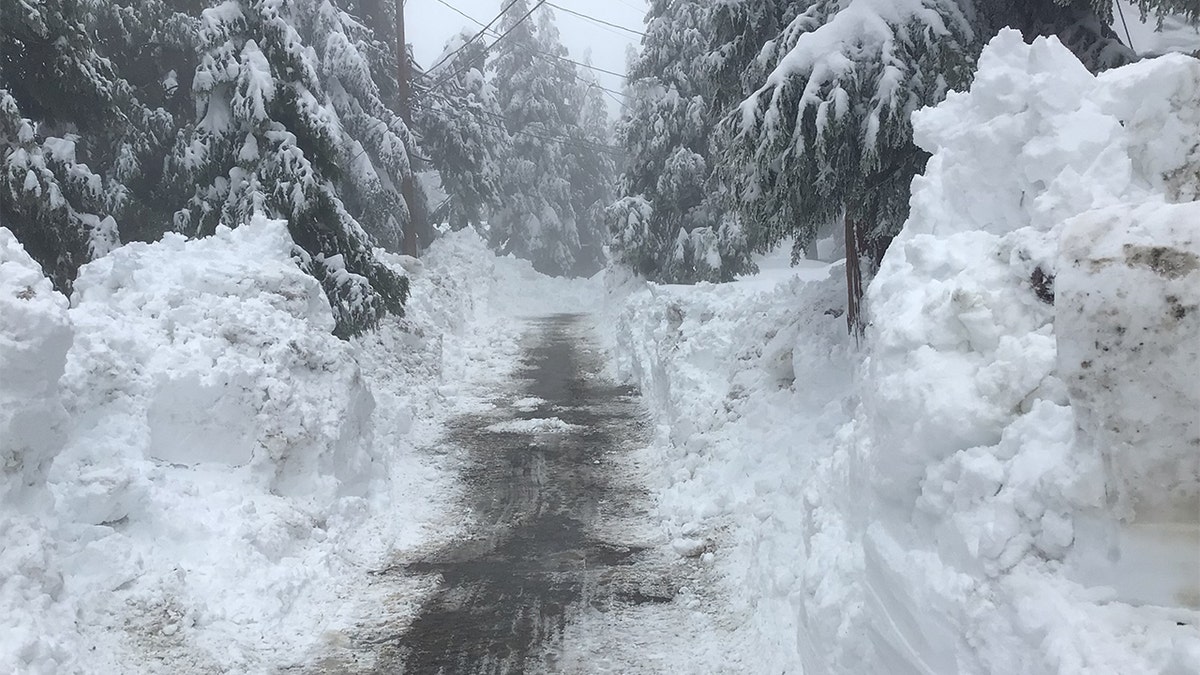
(430, 23)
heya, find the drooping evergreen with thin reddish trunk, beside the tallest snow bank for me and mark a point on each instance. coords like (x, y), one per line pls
(827, 138)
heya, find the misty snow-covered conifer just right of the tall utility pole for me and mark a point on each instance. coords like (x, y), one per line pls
(463, 130)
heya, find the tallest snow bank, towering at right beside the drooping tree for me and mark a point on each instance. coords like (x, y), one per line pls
(986, 498)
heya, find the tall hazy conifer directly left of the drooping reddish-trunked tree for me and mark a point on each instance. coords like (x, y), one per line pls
(670, 223)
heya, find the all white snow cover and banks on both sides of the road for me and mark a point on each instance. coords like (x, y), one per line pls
(195, 476)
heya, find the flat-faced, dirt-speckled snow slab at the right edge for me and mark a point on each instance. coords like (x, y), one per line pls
(1127, 321)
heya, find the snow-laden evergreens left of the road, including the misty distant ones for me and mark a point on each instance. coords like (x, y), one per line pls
(125, 120)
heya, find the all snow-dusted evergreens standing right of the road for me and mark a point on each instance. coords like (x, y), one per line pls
(754, 122)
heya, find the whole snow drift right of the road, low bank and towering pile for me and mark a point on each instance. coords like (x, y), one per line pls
(1005, 477)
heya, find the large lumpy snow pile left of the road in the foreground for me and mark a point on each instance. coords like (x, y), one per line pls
(217, 437)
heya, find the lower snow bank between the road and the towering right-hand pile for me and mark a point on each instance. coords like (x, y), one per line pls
(751, 385)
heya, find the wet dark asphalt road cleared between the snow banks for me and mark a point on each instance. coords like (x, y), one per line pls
(533, 560)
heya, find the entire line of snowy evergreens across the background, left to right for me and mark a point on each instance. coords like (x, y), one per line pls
(746, 123)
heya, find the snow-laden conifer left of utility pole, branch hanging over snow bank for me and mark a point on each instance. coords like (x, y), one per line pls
(291, 124)
